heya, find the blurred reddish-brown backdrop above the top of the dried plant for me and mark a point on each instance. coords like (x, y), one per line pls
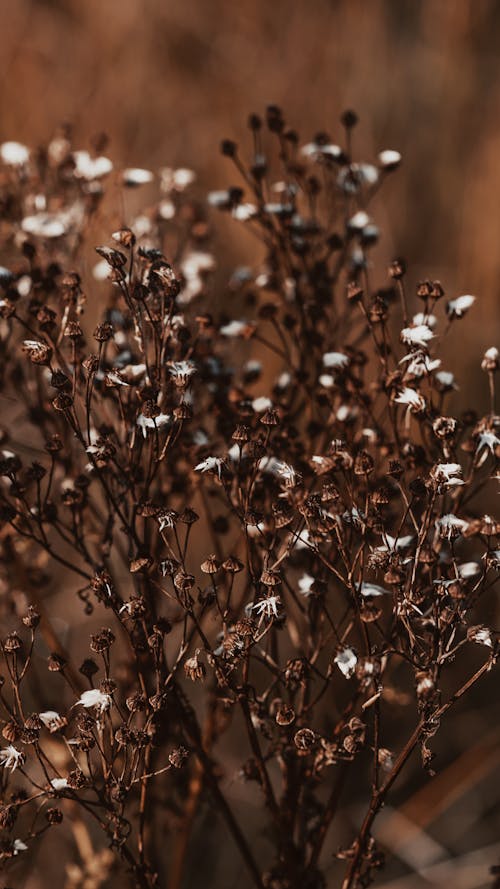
(166, 80)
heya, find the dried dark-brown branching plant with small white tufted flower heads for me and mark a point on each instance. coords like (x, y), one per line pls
(273, 517)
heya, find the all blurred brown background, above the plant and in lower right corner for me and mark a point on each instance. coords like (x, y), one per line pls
(166, 79)
